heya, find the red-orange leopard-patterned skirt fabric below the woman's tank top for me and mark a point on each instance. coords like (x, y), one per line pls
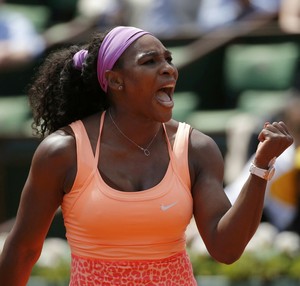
(172, 271)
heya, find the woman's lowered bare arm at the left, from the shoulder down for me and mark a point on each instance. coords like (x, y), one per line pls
(42, 194)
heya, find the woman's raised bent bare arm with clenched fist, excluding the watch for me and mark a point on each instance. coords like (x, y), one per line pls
(227, 229)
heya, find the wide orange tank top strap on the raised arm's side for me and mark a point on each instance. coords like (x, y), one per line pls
(180, 153)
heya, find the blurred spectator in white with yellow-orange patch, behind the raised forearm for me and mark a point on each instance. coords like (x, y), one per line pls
(282, 203)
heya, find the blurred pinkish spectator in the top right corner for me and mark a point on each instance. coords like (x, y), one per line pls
(289, 16)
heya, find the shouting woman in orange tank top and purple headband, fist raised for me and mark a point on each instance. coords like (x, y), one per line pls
(128, 177)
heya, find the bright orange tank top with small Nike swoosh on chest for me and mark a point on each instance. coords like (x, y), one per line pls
(108, 224)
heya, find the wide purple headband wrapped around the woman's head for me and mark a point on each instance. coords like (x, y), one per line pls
(112, 47)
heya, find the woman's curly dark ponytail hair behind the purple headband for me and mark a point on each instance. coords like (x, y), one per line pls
(61, 94)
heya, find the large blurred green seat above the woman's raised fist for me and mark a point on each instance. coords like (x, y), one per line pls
(260, 67)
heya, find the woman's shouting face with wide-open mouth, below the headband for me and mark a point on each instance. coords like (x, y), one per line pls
(148, 77)
